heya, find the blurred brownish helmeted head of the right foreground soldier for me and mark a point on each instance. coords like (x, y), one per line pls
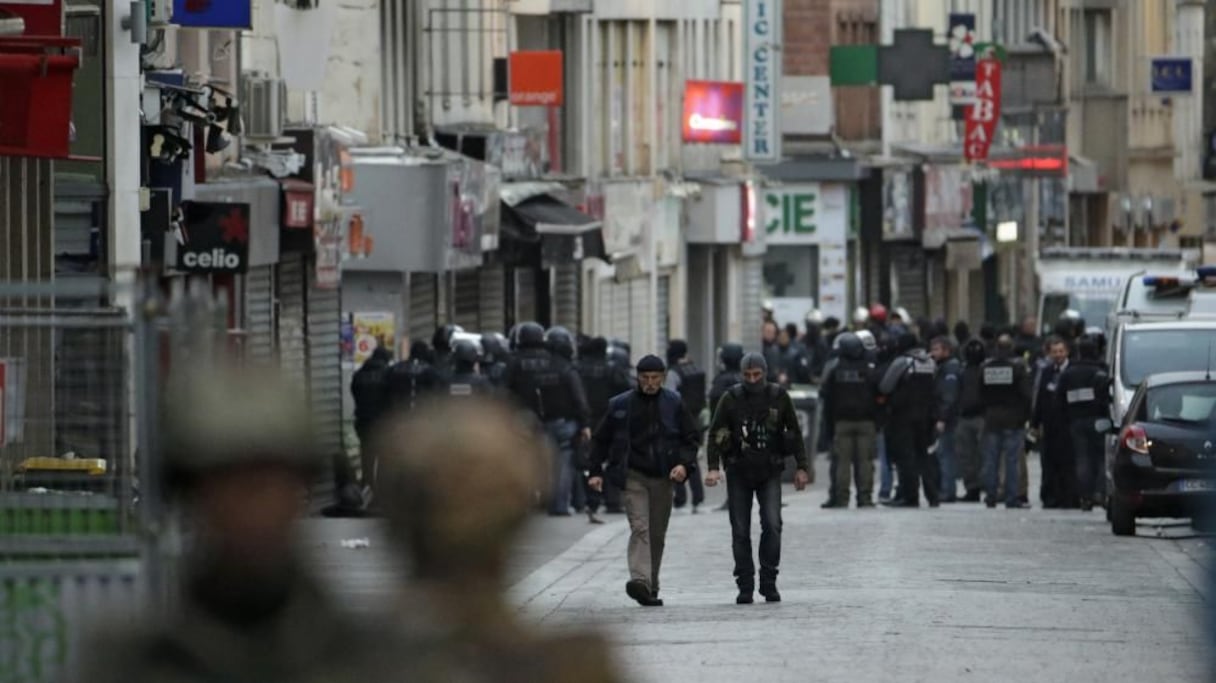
(457, 499)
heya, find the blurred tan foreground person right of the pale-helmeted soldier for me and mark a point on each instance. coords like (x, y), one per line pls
(460, 500)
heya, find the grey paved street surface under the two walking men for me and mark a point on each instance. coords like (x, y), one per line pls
(956, 594)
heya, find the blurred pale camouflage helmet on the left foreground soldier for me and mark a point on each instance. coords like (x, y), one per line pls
(217, 417)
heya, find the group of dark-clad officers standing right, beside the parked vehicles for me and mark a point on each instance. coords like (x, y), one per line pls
(936, 407)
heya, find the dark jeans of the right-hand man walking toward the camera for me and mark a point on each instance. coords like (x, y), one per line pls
(741, 492)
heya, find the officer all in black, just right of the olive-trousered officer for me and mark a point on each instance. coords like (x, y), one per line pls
(909, 388)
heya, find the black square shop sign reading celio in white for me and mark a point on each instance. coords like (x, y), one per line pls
(215, 238)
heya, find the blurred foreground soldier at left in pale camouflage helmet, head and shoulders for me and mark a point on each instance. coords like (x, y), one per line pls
(239, 459)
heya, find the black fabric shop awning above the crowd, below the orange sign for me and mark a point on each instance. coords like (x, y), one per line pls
(548, 230)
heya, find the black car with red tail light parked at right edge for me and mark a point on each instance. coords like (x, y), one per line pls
(1164, 464)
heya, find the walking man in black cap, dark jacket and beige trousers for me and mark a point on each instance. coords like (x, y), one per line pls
(646, 443)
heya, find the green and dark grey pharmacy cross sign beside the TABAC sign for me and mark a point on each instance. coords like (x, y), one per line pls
(913, 65)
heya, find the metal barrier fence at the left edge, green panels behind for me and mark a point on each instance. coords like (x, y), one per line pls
(85, 534)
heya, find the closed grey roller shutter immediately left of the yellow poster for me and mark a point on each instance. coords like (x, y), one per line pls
(325, 365)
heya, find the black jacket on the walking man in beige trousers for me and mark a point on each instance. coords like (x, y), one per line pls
(646, 434)
